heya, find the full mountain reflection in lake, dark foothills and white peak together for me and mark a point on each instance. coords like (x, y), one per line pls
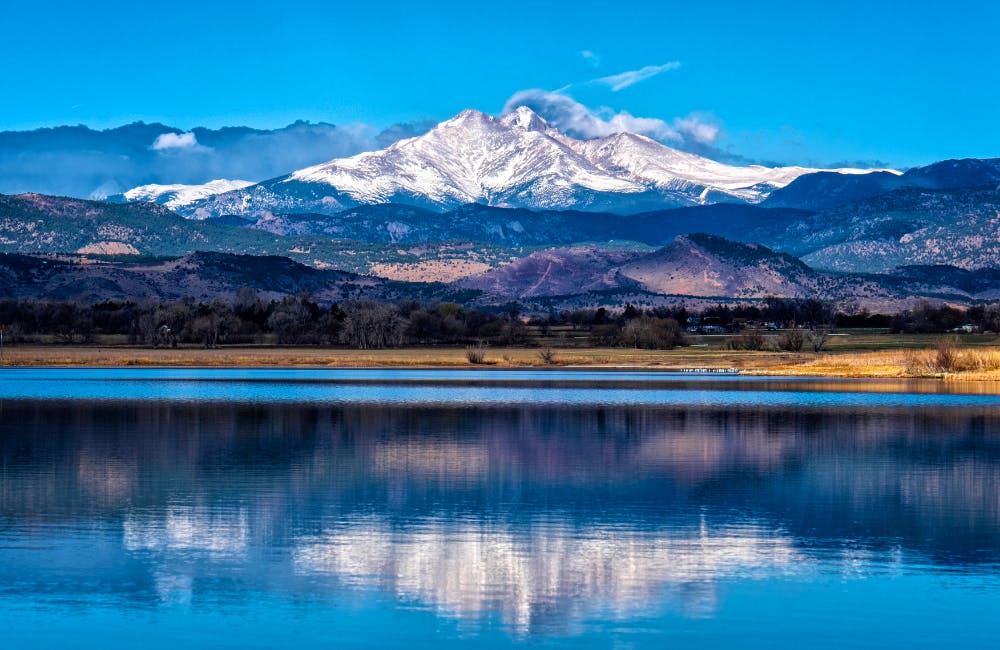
(535, 518)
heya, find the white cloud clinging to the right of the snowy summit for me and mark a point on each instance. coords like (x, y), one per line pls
(573, 118)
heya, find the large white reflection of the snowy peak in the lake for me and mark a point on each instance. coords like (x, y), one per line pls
(548, 566)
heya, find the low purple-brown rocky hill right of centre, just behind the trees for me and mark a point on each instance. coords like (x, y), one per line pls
(699, 266)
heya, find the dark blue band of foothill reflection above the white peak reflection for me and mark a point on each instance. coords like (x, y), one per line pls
(927, 480)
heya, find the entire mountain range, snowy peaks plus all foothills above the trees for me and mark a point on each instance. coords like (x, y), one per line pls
(494, 209)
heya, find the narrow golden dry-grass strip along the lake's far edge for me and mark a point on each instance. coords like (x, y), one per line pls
(877, 364)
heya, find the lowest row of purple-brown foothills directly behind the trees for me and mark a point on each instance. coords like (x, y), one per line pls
(693, 269)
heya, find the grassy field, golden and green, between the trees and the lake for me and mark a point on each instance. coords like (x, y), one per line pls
(850, 354)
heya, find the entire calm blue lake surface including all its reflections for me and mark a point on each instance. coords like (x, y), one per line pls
(331, 508)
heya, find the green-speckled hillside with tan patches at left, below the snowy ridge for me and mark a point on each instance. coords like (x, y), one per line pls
(32, 223)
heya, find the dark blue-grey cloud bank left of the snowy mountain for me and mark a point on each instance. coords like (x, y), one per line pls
(82, 162)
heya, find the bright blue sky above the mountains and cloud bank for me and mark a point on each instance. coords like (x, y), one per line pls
(798, 82)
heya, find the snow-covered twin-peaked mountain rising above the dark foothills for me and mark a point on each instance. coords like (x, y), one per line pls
(516, 160)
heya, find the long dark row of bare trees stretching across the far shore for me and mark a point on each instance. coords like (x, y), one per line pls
(247, 318)
